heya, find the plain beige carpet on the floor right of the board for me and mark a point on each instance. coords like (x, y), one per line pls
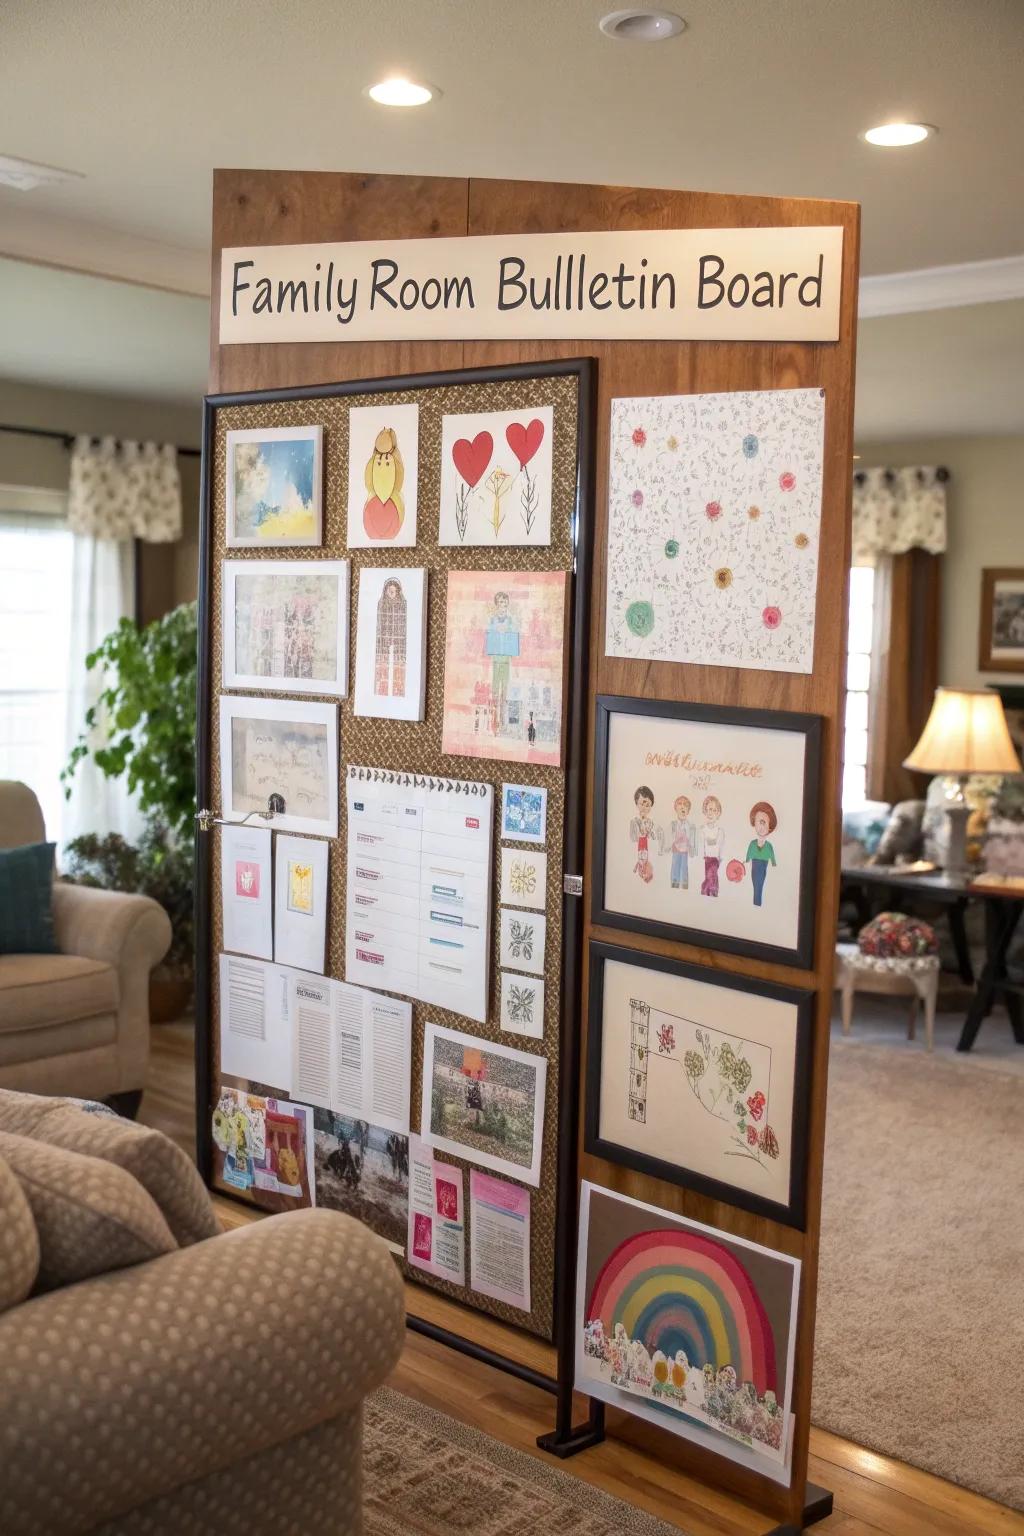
(920, 1339)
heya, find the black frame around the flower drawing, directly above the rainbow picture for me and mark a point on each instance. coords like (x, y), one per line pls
(793, 1214)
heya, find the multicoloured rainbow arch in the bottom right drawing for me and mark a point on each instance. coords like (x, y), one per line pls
(682, 1291)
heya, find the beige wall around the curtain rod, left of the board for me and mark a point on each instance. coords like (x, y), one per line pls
(170, 571)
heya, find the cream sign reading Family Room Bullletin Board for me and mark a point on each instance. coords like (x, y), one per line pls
(664, 285)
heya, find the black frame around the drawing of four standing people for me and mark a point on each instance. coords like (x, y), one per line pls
(810, 727)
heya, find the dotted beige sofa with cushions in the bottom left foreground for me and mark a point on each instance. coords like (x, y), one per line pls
(211, 1383)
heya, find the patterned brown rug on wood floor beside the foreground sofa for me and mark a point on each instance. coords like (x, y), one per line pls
(429, 1475)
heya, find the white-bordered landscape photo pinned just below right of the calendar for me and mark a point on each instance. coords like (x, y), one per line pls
(484, 1102)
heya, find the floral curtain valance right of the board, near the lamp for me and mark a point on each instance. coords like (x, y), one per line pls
(899, 511)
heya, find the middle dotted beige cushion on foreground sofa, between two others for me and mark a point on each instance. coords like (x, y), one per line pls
(91, 1217)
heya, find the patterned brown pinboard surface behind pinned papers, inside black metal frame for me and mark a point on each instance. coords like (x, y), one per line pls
(411, 747)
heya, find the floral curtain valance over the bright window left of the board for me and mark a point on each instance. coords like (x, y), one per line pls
(130, 491)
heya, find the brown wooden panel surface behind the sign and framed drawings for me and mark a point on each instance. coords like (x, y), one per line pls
(257, 208)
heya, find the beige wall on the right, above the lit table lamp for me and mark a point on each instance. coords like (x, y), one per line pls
(986, 528)
